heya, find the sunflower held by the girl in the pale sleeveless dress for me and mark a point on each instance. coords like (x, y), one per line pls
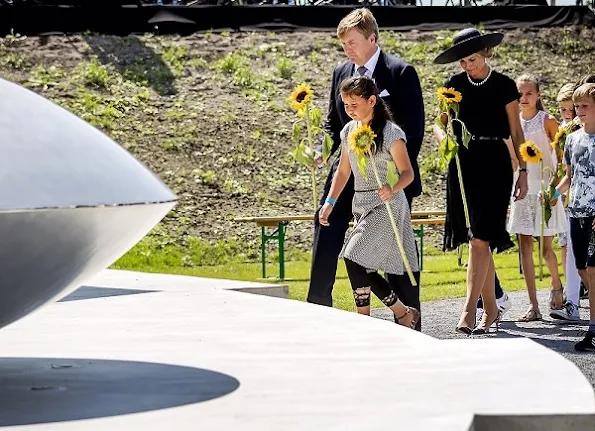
(531, 153)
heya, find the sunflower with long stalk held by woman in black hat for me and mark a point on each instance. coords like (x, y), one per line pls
(449, 99)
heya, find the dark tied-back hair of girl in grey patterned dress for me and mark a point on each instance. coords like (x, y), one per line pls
(365, 87)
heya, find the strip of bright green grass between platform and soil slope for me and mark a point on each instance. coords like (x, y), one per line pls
(441, 278)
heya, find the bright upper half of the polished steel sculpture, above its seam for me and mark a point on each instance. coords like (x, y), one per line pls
(51, 159)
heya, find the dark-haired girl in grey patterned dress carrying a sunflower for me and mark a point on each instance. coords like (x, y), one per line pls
(372, 245)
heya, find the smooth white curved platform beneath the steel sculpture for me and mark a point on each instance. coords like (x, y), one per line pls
(178, 353)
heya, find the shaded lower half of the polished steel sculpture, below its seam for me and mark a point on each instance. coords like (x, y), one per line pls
(46, 254)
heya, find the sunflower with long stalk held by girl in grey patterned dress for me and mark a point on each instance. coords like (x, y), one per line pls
(361, 141)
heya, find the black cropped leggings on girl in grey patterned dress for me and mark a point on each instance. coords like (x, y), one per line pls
(363, 281)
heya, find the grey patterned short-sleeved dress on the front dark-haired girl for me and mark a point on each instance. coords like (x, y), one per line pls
(372, 243)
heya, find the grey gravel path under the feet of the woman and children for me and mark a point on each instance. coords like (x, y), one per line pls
(441, 317)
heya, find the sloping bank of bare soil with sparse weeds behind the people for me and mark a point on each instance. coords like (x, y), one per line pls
(208, 112)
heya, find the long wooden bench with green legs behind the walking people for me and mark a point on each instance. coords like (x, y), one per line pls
(419, 219)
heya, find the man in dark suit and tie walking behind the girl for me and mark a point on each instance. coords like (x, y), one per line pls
(400, 88)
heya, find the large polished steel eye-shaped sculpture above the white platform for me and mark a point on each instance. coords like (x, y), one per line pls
(72, 201)
